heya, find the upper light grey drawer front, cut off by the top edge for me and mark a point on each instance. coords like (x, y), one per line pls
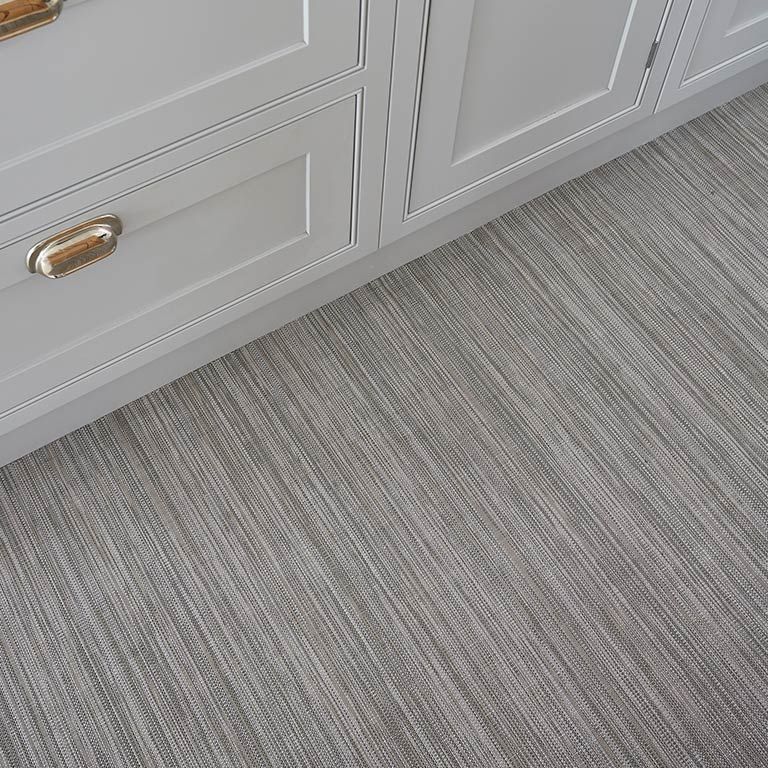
(110, 81)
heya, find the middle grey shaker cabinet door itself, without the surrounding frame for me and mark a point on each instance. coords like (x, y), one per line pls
(505, 81)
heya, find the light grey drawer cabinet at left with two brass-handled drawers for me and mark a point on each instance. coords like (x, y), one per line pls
(241, 146)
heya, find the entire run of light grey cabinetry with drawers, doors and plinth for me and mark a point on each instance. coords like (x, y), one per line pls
(197, 175)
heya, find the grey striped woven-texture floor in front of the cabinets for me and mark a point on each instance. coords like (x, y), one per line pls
(507, 506)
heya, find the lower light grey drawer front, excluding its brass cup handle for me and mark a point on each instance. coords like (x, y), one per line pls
(194, 240)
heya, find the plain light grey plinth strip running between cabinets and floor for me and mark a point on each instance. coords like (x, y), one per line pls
(93, 403)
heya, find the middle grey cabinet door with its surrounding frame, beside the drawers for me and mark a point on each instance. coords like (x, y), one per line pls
(506, 87)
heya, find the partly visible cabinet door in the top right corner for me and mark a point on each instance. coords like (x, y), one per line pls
(721, 38)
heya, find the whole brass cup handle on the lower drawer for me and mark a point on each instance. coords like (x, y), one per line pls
(75, 248)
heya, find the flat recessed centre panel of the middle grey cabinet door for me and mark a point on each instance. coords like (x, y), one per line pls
(497, 103)
